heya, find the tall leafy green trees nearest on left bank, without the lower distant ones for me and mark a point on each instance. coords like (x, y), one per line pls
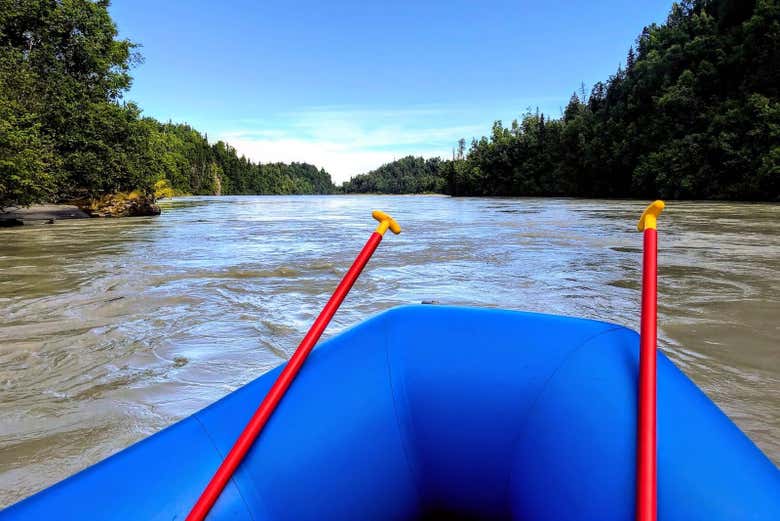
(63, 73)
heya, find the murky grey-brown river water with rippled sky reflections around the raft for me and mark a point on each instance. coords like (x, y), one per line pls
(114, 329)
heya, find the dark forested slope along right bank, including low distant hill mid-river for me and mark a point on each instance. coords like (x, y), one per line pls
(694, 113)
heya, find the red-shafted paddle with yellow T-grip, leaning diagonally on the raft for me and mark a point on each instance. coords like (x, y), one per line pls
(275, 394)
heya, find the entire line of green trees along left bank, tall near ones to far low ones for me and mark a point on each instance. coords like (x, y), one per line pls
(66, 131)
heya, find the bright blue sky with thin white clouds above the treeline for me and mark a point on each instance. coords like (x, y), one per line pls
(351, 85)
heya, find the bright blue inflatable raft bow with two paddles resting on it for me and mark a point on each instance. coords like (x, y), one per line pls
(451, 413)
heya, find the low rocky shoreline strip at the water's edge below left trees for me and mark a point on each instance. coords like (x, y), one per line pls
(130, 204)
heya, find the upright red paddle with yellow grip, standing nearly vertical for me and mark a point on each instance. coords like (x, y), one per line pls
(646, 473)
